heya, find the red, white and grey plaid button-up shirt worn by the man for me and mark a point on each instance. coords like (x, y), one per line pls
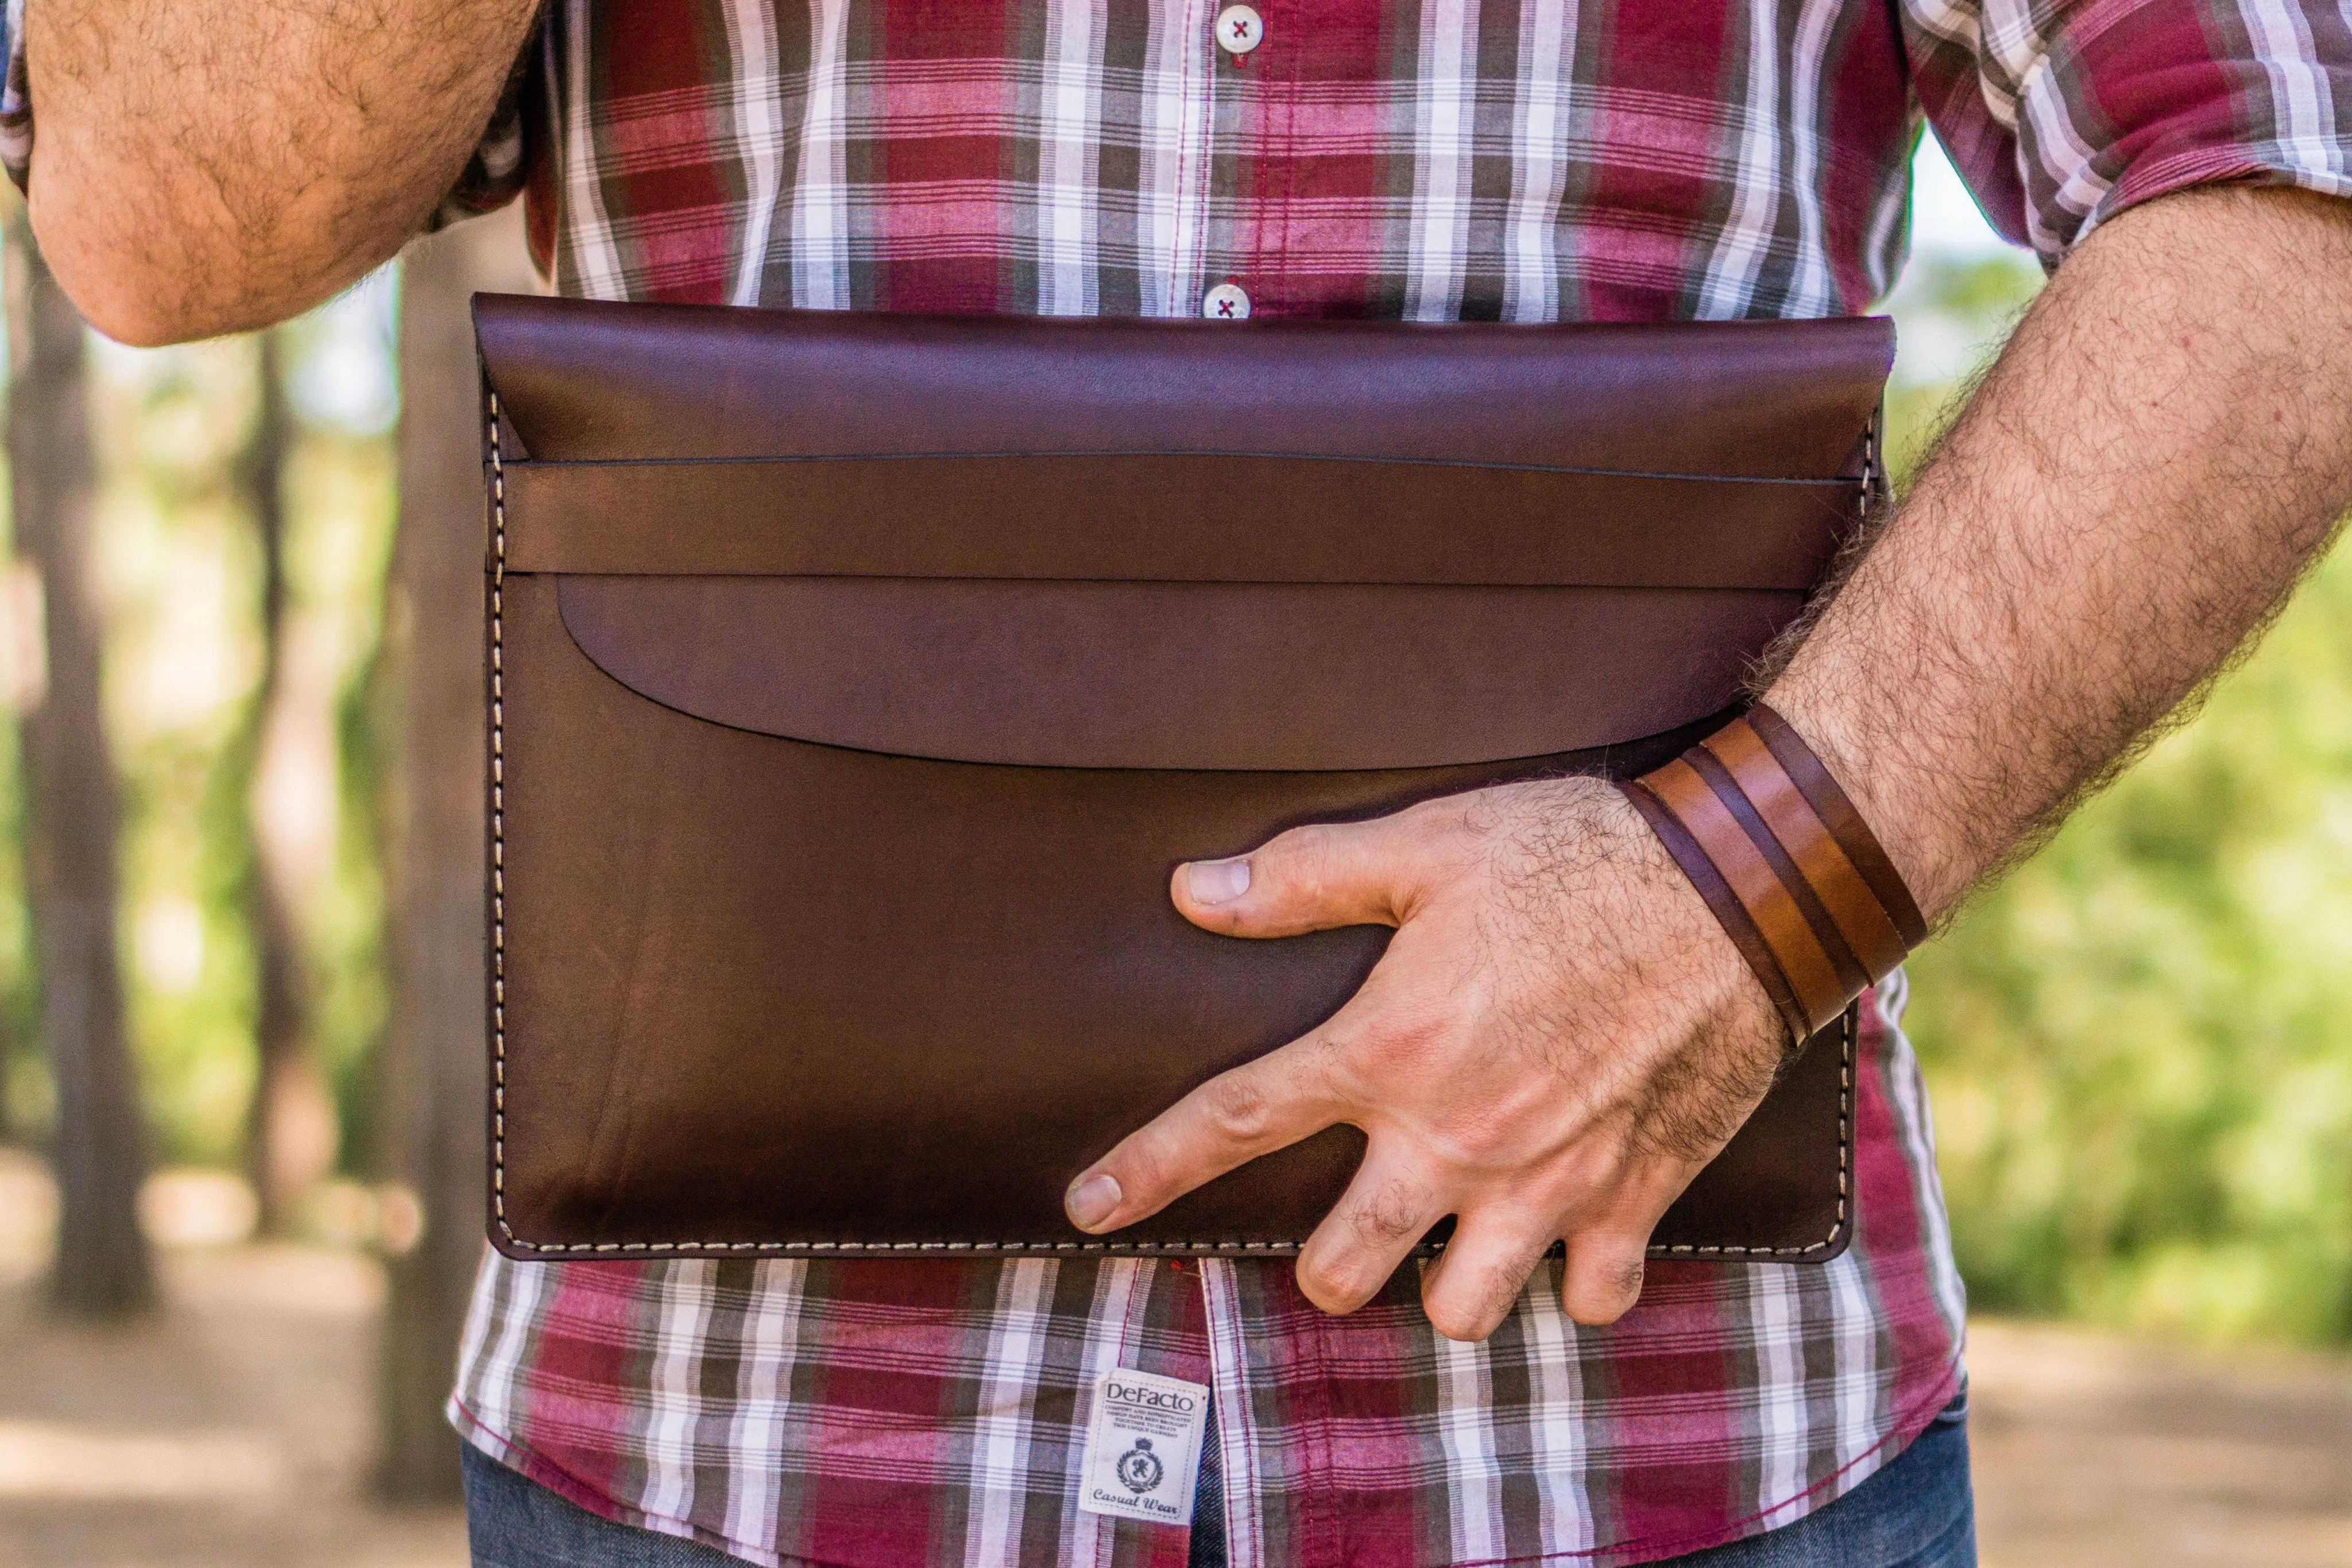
(1441, 161)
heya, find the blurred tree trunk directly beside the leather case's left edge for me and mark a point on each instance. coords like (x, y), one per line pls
(434, 1087)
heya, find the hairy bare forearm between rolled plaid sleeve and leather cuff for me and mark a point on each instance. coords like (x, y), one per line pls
(2134, 488)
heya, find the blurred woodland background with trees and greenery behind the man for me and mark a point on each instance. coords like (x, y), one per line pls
(241, 1005)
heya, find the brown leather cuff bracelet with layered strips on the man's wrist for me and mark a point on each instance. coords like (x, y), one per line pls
(1786, 864)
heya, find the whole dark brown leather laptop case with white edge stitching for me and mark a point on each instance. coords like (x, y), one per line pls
(829, 876)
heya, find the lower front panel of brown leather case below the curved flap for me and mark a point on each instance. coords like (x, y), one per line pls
(782, 996)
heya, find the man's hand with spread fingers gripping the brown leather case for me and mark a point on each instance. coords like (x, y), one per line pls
(1553, 1045)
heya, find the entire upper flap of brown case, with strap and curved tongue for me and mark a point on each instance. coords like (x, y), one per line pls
(1121, 544)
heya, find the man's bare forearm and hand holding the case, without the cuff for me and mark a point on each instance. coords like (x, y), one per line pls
(1561, 1036)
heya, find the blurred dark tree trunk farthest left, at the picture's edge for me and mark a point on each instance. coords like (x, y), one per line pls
(100, 1148)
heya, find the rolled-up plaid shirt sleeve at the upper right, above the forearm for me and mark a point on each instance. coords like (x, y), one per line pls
(2064, 114)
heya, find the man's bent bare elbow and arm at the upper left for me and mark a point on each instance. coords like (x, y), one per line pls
(220, 166)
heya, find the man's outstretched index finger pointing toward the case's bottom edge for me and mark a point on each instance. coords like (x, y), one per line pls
(1227, 1123)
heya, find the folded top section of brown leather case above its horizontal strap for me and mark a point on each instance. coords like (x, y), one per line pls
(601, 382)
